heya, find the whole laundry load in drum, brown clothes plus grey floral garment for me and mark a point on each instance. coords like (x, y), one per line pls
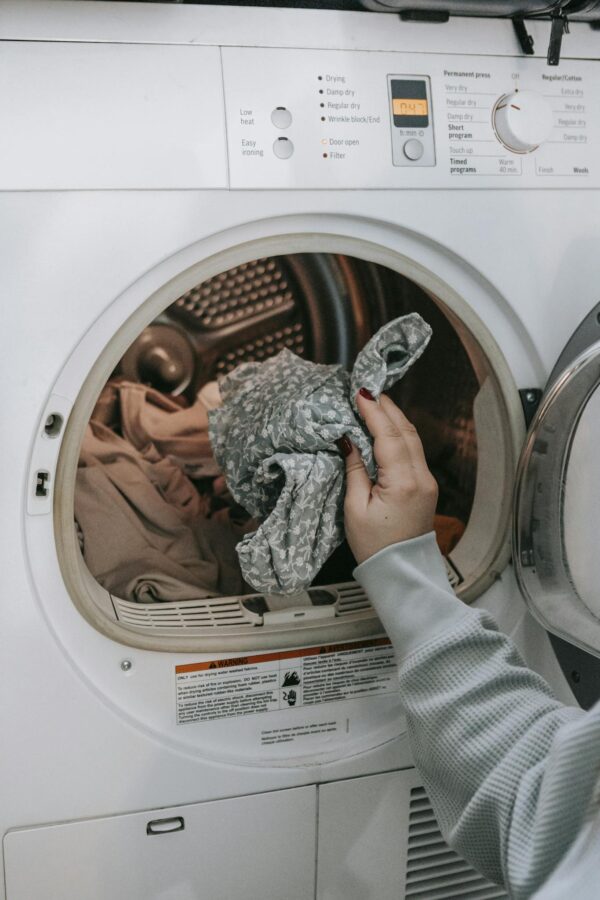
(244, 487)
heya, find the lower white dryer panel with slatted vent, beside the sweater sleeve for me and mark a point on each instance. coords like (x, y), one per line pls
(379, 838)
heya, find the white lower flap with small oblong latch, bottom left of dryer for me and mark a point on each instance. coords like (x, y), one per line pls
(257, 846)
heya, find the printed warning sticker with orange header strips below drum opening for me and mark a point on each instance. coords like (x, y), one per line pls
(268, 682)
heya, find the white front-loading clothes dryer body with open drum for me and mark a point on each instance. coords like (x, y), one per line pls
(186, 188)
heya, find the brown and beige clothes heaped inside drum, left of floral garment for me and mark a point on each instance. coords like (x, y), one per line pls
(154, 516)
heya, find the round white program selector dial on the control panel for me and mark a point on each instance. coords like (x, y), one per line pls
(522, 120)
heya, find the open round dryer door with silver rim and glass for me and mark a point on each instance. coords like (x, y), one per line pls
(557, 499)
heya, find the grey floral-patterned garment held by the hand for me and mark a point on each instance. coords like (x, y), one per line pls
(274, 438)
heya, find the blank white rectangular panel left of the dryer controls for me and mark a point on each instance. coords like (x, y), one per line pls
(98, 116)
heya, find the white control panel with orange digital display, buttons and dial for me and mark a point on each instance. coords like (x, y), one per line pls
(325, 119)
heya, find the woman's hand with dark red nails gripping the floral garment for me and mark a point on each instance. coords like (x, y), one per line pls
(401, 504)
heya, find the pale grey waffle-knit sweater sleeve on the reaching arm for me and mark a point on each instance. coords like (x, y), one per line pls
(508, 768)
